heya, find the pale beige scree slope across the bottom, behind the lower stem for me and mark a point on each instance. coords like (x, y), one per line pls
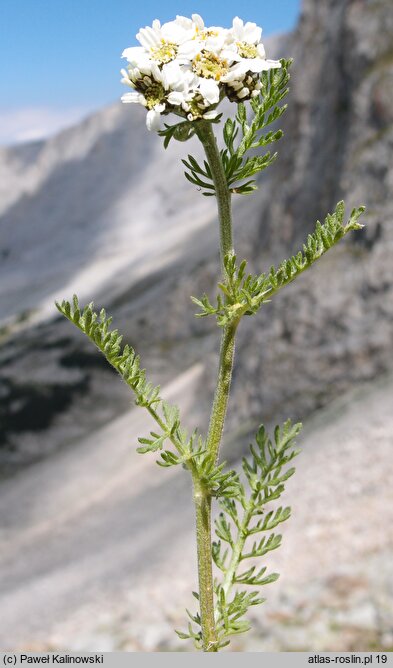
(97, 553)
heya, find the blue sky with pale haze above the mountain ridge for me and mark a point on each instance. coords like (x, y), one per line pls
(60, 59)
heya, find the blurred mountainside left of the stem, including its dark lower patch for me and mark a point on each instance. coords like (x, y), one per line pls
(104, 211)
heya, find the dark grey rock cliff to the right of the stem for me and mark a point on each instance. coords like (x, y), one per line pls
(334, 327)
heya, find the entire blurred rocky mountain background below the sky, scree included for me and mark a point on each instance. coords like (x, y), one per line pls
(102, 210)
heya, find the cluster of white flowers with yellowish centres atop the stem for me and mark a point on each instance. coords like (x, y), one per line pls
(186, 68)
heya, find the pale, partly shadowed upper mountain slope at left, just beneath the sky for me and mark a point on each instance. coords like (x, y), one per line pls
(93, 196)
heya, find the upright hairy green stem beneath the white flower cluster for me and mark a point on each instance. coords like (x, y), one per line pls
(219, 409)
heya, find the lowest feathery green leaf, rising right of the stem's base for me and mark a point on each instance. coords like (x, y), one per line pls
(265, 472)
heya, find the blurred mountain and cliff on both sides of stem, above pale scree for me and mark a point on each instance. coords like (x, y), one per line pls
(94, 210)
